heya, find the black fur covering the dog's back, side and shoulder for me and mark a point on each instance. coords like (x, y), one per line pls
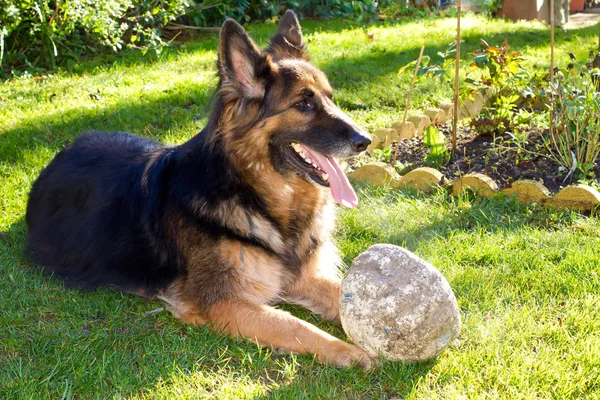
(92, 221)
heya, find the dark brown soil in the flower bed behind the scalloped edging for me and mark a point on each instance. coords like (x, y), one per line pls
(497, 158)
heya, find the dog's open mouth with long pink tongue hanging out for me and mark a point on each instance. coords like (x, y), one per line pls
(325, 171)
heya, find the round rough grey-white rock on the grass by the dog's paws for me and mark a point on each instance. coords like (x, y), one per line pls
(395, 304)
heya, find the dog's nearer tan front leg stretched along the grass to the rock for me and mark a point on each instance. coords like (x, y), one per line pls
(276, 328)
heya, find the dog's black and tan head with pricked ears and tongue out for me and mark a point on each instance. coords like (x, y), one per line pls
(277, 110)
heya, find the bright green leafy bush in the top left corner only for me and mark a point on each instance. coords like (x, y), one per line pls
(40, 33)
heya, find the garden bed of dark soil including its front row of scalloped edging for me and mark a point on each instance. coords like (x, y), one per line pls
(488, 165)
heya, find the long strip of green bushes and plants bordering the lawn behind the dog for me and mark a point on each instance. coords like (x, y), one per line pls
(43, 33)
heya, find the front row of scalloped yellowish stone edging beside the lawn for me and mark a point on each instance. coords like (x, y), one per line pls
(579, 197)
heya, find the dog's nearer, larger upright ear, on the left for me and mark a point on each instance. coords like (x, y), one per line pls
(242, 65)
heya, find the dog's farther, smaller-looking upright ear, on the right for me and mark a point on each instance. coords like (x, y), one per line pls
(288, 41)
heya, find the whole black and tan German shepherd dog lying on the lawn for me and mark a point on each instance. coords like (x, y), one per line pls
(227, 224)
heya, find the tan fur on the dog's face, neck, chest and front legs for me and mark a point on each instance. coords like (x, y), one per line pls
(245, 279)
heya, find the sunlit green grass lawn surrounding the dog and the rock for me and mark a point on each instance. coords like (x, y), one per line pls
(527, 281)
